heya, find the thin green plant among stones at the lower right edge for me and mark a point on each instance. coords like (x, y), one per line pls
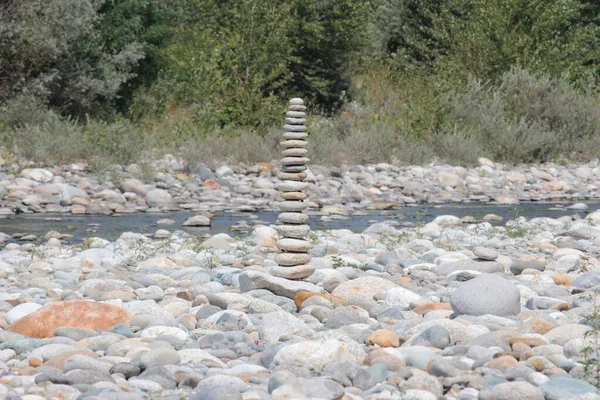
(591, 350)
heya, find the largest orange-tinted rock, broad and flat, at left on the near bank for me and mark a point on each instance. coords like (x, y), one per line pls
(75, 313)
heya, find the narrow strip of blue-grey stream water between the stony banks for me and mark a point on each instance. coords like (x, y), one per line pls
(111, 227)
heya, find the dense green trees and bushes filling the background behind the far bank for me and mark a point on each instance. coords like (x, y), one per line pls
(386, 74)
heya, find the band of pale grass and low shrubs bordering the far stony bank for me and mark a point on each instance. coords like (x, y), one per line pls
(412, 120)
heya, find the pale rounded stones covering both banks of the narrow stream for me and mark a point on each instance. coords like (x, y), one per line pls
(449, 309)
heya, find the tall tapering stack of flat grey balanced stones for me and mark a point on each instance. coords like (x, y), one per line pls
(293, 259)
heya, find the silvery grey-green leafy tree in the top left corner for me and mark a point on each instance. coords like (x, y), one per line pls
(49, 50)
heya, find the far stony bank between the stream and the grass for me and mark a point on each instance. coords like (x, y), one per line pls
(170, 184)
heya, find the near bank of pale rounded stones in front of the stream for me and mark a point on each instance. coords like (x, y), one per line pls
(444, 309)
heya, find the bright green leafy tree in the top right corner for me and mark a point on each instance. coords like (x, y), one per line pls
(555, 37)
